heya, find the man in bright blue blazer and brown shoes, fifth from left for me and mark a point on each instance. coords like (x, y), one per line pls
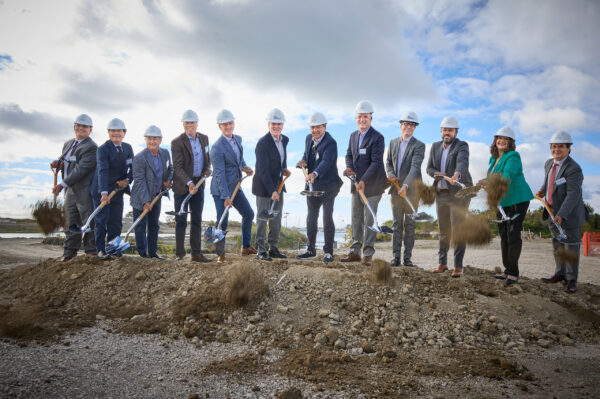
(227, 156)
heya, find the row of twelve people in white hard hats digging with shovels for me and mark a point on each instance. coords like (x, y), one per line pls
(95, 175)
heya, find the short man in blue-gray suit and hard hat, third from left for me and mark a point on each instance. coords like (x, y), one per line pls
(152, 173)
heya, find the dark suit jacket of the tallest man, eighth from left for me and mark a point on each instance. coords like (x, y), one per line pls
(369, 166)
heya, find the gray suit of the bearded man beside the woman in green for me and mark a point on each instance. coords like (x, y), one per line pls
(451, 210)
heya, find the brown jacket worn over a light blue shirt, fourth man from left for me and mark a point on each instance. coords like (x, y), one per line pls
(183, 161)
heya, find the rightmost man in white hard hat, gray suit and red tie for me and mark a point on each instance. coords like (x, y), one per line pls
(562, 188)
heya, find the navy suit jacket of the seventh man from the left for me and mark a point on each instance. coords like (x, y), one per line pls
(324, 162)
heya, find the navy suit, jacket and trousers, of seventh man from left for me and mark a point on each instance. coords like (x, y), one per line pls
(322, 159)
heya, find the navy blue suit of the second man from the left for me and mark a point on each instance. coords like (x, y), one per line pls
(110, 167)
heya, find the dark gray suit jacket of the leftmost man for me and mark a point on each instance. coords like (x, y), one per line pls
(81, 170)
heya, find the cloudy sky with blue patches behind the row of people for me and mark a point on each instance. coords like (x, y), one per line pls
(531, 65)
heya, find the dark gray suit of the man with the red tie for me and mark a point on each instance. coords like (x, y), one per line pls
(567, 202)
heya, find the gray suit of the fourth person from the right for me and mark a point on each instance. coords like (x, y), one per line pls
(410, 169)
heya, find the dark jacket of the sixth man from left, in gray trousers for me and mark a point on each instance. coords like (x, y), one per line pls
(269, 169)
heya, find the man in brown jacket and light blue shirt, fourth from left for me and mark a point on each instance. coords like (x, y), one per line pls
(191, 161)
